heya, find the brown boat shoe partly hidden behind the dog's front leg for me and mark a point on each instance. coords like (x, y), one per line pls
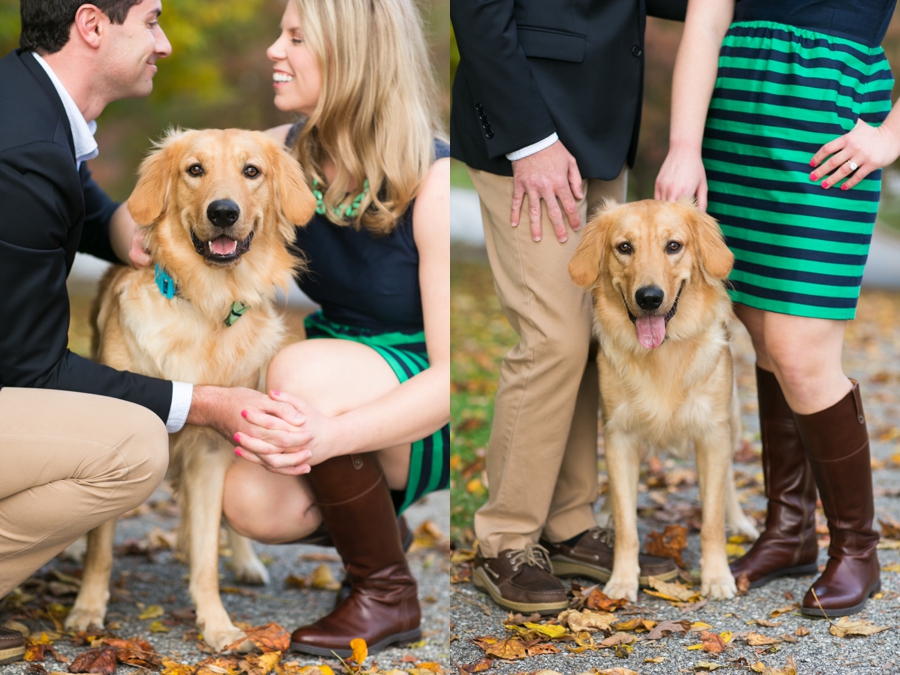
(592, 557)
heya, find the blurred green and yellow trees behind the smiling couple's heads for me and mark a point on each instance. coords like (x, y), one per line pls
(218, 76)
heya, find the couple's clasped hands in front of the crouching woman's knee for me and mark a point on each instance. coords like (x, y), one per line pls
(273, 433)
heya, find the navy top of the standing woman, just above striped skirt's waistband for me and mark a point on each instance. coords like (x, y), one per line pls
(863, 21)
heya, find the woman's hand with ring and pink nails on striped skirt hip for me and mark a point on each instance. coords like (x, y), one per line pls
(868, 148)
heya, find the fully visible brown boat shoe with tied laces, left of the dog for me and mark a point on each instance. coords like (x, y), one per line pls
(521, 580)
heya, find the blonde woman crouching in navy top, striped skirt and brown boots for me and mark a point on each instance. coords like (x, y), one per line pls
(370, 385)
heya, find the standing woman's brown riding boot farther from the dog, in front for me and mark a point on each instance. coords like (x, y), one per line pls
(837, 444)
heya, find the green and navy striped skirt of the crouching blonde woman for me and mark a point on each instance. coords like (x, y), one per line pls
(429, 465)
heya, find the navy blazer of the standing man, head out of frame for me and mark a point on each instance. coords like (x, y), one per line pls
(529, 68)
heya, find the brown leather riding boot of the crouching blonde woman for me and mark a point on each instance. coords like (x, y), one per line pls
(382, 607)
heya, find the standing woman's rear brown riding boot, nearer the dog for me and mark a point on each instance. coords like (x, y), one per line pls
(788, 544)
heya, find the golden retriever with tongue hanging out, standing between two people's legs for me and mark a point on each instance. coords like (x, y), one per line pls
(662, 316)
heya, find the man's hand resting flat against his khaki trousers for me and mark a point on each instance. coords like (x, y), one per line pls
(549, 175)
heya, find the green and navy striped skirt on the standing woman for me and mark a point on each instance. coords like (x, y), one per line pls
(781, 93)
